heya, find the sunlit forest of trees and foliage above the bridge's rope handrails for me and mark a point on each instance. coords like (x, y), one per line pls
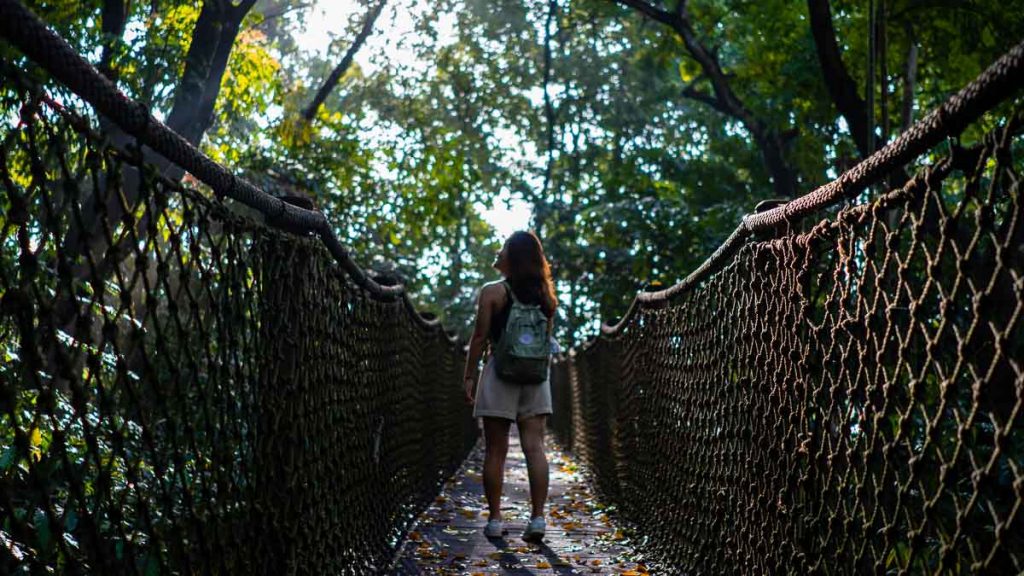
(631, 136)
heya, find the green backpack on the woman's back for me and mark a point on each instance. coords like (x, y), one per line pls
(522, 355)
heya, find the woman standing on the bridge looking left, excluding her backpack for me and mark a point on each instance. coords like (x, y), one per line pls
(528, 276)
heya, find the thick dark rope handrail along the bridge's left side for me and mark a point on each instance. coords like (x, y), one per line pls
(27, 32)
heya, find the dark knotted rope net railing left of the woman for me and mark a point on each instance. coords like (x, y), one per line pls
(185, 389)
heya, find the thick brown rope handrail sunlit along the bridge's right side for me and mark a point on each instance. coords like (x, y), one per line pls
(998, 84)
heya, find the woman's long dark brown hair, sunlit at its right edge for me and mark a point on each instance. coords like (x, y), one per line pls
(529, 273)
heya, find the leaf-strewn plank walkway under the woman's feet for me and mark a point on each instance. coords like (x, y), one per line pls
(581, 538)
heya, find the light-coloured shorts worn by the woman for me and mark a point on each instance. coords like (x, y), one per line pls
(508, 400)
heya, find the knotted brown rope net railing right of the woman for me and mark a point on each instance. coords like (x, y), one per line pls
(844, 398)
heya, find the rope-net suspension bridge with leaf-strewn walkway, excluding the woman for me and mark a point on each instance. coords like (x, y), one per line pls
(201, 379)
